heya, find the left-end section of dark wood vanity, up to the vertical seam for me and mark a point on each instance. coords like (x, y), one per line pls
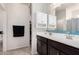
(42, 45)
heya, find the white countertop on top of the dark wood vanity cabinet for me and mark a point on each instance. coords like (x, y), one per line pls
(59, 37)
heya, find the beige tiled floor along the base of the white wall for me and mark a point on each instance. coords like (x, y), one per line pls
(20, 51)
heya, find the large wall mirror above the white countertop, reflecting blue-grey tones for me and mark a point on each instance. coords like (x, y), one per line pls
(67, 19)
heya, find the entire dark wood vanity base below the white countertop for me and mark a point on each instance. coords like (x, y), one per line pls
(47, 46)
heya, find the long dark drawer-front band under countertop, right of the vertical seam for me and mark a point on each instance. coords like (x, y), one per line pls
(68, 50)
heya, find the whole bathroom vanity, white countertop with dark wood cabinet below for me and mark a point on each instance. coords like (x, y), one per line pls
(54, 45)
